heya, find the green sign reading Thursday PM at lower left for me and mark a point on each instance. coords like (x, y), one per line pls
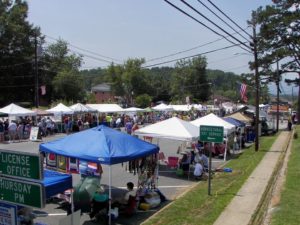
(22, 192)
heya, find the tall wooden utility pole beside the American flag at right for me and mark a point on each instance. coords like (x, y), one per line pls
(257, 86)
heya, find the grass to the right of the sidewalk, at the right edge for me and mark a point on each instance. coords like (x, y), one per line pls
(288, 211)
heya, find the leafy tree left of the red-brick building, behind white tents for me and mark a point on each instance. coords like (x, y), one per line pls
(60, 73)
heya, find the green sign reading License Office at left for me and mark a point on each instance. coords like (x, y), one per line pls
(25, 166)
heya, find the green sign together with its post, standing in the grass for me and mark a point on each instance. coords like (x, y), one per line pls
(211, 134)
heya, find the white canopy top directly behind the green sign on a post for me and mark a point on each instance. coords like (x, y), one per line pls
(213, 120)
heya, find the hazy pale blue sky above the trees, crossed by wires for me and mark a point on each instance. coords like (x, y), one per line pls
(106, 31)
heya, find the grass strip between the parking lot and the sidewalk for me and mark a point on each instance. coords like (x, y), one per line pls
(196, 207)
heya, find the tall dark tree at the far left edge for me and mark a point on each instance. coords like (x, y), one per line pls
(17, 37)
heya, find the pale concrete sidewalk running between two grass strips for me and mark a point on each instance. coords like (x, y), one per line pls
(243, 205)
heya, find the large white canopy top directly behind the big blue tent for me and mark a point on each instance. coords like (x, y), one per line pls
(173, 128)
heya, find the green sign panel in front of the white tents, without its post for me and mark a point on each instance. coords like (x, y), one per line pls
(211, 134)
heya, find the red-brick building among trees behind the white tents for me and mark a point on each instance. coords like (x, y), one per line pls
(103, 93)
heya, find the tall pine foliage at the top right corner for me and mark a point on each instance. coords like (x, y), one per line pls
(279, 37)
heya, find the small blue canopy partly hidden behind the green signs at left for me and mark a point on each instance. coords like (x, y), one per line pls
(56, 182)
